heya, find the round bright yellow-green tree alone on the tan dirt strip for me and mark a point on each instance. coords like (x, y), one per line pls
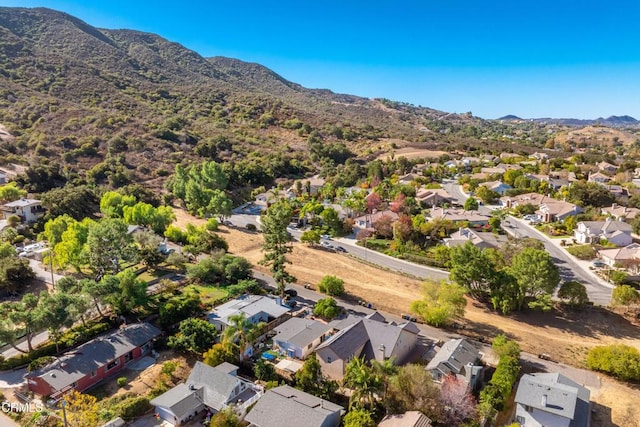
(441, 303)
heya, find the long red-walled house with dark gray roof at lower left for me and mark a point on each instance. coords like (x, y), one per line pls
(90, 363)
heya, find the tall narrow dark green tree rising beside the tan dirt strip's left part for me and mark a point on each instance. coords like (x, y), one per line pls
(276, 242)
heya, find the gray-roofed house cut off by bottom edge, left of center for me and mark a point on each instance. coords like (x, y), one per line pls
(285, 406)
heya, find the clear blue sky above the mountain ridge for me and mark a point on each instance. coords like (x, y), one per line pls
(543, 58)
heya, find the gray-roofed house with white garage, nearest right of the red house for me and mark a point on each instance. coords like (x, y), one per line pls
(207, 388)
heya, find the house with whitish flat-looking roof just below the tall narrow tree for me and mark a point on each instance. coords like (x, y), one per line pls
(256, 308)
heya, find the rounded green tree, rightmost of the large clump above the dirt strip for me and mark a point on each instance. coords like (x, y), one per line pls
(536, 275)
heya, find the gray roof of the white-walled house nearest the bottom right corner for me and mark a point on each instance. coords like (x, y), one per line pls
(556, 394)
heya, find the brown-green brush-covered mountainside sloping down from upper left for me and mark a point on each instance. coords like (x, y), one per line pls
(127, 105)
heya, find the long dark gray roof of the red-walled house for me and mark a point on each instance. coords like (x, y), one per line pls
(88, 357)
